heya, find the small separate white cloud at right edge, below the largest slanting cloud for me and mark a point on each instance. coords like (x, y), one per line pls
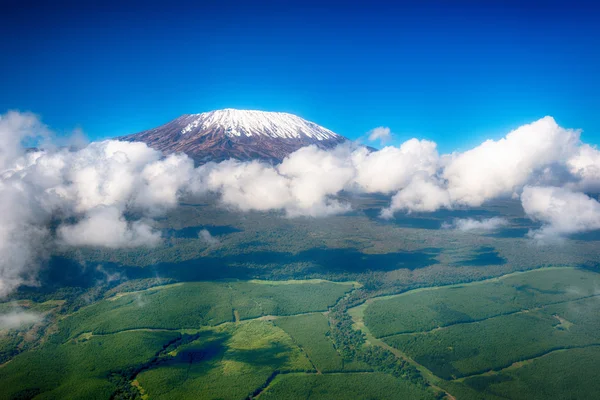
(561, 211)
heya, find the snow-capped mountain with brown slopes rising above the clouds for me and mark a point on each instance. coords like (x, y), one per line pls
(241, 134)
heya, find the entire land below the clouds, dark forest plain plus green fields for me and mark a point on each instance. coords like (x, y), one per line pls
(342, 307)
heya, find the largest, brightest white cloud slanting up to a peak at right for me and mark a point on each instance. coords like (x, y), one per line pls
(539, 153)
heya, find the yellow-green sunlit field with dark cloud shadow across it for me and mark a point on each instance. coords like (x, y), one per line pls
(230, 363)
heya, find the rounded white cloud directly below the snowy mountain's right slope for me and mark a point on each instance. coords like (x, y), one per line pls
(302, 185)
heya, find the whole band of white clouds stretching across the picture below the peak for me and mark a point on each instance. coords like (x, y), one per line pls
(107, 194)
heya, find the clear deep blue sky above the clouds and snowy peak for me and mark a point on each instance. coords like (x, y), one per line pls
(450, 71)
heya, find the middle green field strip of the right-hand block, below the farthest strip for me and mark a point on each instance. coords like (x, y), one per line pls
(468, 349)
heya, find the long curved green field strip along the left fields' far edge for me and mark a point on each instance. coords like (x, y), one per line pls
(196, 304)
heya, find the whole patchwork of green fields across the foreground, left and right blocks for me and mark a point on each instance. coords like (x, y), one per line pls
(529, 335)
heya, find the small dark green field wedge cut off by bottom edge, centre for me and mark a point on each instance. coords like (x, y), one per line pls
(343, 386)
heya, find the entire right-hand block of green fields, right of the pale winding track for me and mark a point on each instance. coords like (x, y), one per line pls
(523, 336)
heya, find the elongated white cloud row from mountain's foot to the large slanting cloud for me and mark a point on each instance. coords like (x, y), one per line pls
(308, 180)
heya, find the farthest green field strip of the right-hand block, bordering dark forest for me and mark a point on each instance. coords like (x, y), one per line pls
(427, 309)
